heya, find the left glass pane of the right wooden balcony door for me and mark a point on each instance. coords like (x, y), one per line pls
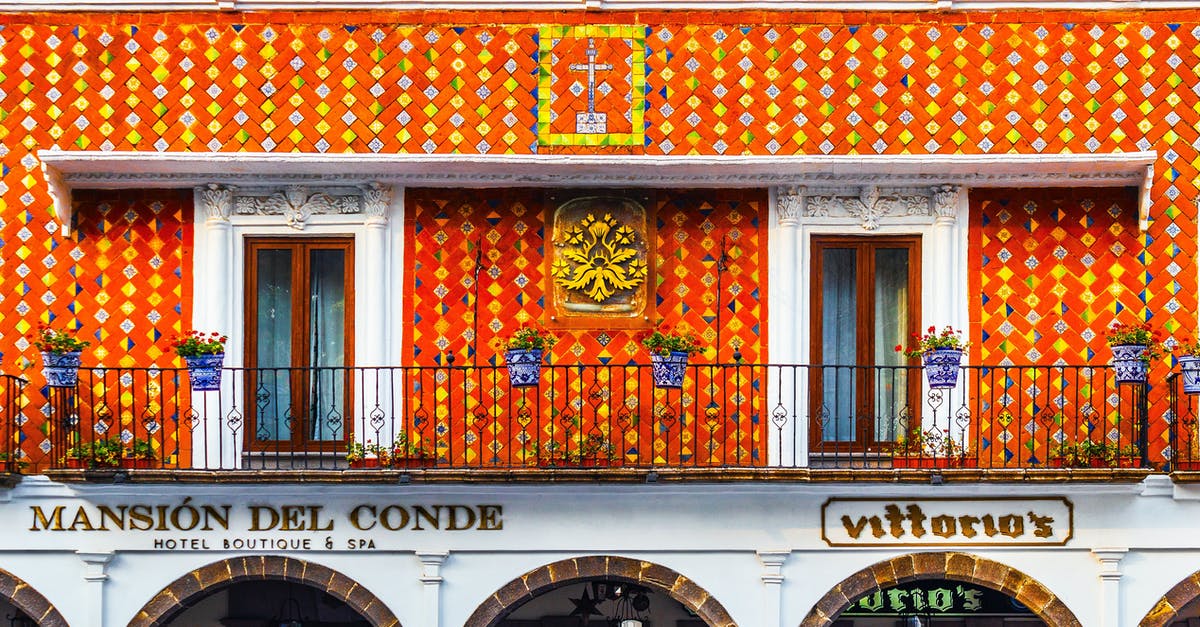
(839, 343)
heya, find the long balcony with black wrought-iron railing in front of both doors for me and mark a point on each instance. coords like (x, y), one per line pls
(728, 421)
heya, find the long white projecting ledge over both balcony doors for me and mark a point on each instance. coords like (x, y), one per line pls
(67, 170)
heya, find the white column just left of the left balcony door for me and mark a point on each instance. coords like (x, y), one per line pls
(212, 288)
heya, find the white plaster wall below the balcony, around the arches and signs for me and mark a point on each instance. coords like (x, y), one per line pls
(710, 534)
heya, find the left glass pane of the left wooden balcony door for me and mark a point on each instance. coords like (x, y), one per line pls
(273, 296)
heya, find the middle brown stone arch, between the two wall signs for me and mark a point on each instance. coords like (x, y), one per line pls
(577, 570)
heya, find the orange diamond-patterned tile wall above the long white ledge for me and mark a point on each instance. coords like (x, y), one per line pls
(728, 83)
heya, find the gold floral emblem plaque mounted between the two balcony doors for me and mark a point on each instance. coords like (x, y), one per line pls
(601, 265)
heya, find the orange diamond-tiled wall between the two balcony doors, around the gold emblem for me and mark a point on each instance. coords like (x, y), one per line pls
(447, 226)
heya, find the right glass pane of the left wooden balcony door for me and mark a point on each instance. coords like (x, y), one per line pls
(327, 339)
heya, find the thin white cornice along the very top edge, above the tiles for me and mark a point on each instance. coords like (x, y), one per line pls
(592, 5)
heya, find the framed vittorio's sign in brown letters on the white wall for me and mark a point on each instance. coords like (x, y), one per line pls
(947, 522)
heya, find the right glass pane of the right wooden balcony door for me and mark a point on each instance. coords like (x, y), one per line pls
(891, 323)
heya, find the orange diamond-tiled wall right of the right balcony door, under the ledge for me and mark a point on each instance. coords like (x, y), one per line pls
(1055, 270)
